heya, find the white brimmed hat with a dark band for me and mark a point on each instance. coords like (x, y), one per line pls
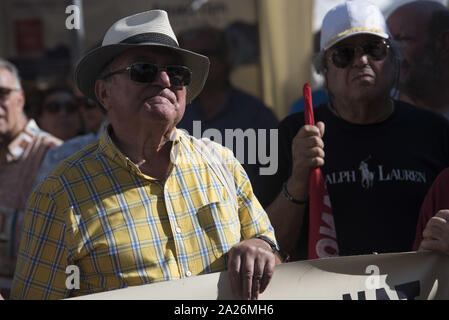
(150, 28)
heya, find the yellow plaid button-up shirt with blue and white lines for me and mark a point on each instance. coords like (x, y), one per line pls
(121, 228)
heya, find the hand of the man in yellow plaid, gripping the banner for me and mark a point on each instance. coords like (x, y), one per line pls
(251, 266)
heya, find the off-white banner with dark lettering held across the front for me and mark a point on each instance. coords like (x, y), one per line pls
(398, 276)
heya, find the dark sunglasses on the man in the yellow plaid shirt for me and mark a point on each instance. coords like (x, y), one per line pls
(145, 72)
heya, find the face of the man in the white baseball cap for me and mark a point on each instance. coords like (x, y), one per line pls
(364, 77)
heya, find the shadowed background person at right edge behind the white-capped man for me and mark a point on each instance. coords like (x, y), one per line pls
(422, 29)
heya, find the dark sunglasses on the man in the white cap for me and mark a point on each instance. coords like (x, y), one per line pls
(343, 56)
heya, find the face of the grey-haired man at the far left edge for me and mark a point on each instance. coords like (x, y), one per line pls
(11, 104)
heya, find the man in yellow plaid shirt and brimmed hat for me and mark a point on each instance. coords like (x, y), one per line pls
(147, 202)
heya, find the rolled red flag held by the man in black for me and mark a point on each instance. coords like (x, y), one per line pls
(322, 235)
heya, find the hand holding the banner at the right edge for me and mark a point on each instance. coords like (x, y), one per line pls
(436, 233)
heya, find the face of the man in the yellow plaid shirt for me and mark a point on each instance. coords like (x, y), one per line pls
(138, 105)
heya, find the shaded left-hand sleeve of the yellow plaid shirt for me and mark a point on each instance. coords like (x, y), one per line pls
(42, 258)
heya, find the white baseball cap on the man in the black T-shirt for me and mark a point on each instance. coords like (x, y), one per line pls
(352, 18)
